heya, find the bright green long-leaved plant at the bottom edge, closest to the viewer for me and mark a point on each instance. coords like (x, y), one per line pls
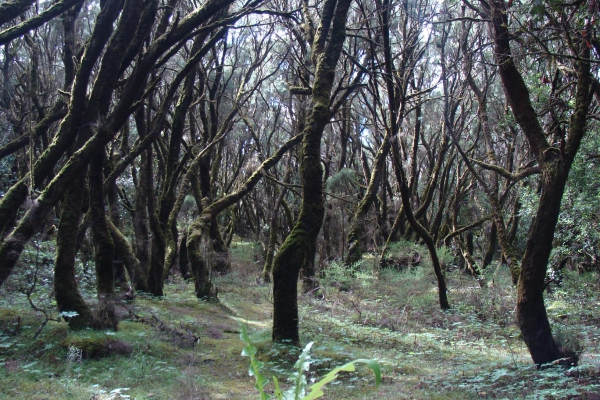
(298, 389)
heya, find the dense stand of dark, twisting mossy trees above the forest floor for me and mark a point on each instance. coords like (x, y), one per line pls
(142, 140)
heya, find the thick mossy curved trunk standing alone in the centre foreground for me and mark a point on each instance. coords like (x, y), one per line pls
(301, 242)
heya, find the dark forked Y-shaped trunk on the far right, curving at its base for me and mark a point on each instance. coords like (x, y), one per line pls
(555, 164)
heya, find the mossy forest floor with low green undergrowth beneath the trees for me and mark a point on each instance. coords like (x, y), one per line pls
(177, 347)
